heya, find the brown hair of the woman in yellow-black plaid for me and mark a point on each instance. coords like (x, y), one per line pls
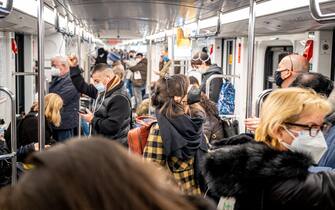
(164, 92)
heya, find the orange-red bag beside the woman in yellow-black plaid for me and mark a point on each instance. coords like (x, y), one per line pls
(137, 137)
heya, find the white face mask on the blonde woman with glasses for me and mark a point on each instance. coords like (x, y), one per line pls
(315, 146)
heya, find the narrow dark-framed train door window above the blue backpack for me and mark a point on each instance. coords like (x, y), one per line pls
(229, 56)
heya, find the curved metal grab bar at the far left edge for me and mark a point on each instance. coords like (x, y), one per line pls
(12, 155)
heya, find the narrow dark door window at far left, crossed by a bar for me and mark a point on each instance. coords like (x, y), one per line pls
(19, 67)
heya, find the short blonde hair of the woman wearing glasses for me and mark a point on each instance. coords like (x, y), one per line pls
(287, 105)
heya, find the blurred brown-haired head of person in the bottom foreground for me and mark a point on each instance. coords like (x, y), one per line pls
(86, 175)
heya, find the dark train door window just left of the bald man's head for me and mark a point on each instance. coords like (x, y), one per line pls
(273, 56)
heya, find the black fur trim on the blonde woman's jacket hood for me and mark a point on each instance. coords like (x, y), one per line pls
(242, 169)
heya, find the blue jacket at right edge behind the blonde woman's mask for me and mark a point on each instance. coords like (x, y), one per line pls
(328, 159)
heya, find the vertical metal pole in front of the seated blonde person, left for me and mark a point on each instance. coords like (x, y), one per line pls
(41, 79)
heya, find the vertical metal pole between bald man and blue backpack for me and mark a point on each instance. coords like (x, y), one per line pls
(250, 72)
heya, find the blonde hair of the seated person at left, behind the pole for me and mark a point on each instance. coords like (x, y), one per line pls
(53, 105)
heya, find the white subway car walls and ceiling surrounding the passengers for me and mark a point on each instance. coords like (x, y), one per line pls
(245, 38)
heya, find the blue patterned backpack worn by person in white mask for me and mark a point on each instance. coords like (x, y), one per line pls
(226, 102)
